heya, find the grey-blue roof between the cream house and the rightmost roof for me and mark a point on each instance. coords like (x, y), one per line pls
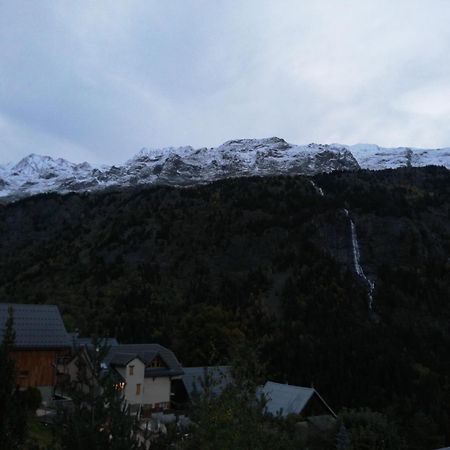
(194, 379)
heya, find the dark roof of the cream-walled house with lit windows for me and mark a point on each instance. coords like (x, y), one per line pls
(121, 355)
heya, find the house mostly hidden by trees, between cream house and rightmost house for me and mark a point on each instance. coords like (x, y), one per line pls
(196, 379)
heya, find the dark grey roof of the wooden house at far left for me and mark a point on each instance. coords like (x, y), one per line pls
(36, 326)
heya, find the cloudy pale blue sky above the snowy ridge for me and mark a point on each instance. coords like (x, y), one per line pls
(98, 80)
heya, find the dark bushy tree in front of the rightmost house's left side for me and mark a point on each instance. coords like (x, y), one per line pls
(235, 418)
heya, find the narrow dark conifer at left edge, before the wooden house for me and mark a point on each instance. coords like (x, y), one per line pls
(13, 414)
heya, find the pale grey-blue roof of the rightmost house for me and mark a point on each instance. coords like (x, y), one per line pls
(286, 399)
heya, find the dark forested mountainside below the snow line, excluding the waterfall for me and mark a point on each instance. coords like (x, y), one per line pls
(265, 262)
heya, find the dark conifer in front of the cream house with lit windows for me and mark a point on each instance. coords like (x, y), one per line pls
(98, 418)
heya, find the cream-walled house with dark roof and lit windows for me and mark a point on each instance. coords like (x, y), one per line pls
(144, 373)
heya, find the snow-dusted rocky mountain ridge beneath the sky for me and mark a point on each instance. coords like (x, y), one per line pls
(185, 165)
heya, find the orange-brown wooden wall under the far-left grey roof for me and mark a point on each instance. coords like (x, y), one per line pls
(36, 367)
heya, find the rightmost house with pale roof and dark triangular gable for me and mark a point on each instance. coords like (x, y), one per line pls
(285, 399)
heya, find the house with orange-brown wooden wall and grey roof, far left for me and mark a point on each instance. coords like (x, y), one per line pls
(40, 341)
